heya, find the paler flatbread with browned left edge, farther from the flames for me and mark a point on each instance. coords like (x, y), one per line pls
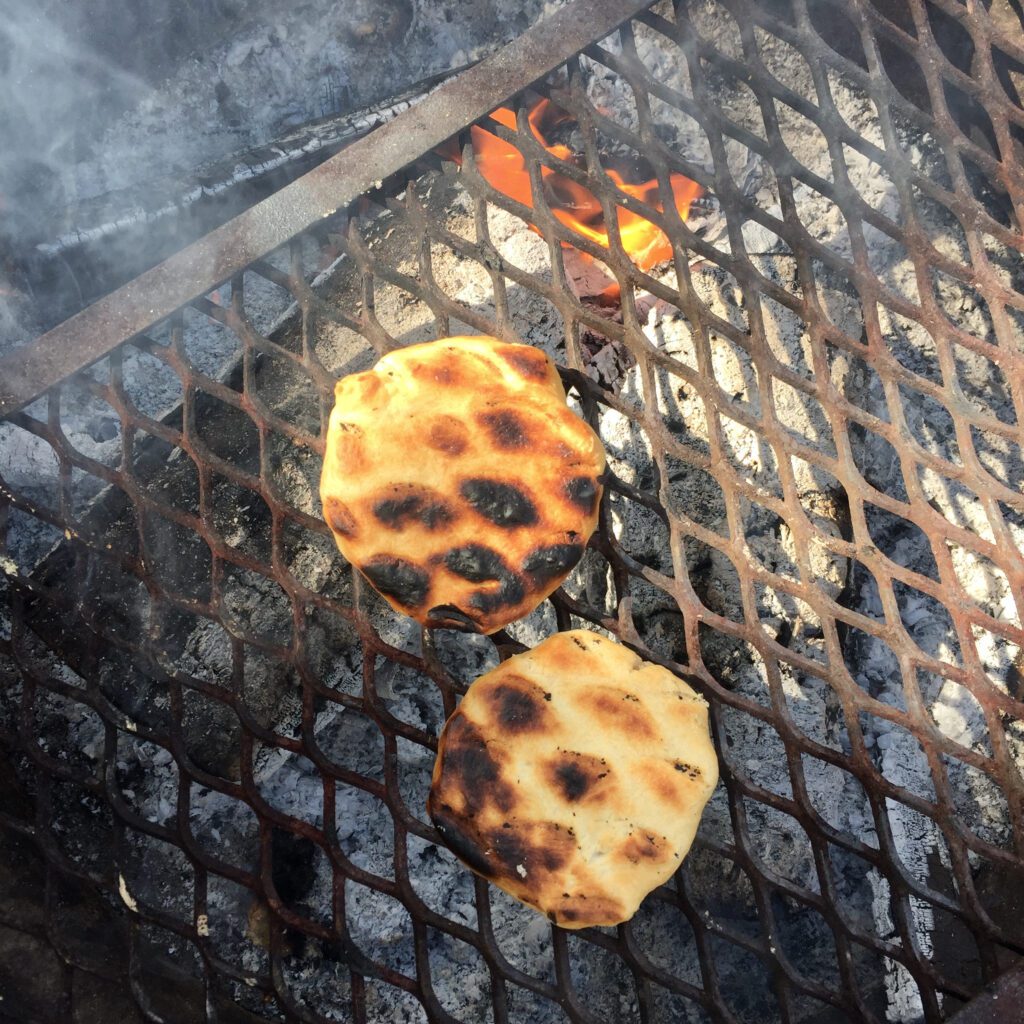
(574, 778)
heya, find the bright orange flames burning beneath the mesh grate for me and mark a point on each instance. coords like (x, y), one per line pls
(503, 167)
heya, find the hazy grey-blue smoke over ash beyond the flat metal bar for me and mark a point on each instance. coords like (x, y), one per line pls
(114, 111)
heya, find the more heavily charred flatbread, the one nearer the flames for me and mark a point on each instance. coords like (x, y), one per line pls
(459, 483)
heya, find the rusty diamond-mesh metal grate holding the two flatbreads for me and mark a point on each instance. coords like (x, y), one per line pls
(219, 744)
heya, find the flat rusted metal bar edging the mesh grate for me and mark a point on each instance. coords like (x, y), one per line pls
(28, 373)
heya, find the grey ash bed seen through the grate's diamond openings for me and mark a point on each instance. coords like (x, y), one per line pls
(157, 875)
